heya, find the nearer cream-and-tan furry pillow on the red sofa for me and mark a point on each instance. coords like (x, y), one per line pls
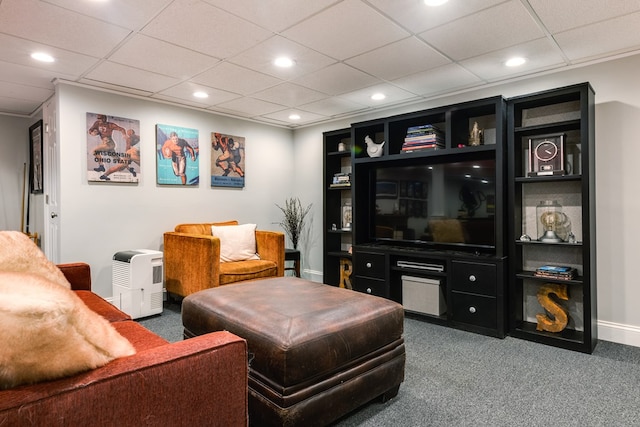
(48, 332)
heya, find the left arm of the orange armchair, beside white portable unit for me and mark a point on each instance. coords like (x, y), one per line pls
(191, 262)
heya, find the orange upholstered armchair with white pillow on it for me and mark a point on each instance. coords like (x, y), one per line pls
(192, 257)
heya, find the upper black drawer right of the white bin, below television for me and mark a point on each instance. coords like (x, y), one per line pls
(474, 277)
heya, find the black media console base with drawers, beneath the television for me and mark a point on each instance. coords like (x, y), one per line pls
(472, 285)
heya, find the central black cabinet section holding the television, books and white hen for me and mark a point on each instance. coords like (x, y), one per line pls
(429, 213)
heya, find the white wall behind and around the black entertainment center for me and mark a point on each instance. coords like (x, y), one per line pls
(617, 164)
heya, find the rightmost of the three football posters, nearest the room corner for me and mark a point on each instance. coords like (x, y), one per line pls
(227, 160)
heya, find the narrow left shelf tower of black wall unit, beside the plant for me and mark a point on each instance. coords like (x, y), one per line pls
(337, 202)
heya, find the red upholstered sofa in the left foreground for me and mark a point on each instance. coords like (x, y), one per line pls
(200, 381)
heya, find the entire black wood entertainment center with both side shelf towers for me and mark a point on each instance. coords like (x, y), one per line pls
(485, 264)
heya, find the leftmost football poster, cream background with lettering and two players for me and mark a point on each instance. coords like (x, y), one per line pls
(113, 149)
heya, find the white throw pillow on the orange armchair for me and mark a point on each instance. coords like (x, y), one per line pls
(237, 242)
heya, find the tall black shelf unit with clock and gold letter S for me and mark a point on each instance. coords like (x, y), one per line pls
(552, 211)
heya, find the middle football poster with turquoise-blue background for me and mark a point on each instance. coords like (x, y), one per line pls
(178, 160)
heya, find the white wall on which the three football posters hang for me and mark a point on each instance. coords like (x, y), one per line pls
(100, 219)
